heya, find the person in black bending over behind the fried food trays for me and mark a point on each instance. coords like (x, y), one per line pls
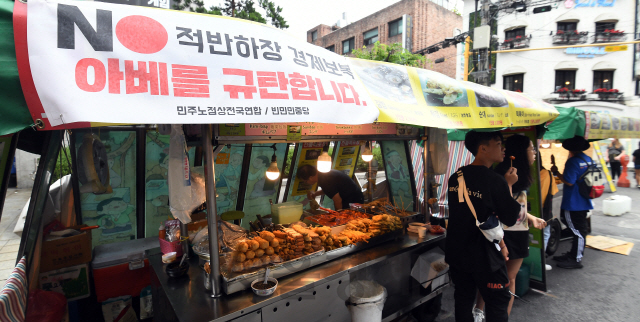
(334, 184)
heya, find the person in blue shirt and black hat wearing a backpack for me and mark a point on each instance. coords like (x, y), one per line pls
(575, 204)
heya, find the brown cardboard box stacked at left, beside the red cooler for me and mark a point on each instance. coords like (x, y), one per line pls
(66, 252)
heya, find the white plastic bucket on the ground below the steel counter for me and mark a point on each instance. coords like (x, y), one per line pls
(366, 301)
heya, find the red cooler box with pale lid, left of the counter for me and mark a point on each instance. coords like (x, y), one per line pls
(122, 268)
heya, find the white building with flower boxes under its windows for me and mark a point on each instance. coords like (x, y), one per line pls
(560, 71)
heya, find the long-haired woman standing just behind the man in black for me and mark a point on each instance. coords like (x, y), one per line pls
(516, 237)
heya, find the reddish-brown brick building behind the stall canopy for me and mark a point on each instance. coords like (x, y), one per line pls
(415, 24)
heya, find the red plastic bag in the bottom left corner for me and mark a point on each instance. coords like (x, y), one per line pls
(46, 306)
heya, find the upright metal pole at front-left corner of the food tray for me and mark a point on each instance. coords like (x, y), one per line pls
(212, 215)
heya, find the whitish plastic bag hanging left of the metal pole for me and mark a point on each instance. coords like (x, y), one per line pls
(179, 177)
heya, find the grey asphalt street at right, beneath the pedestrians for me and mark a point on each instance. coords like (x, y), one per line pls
(606, 289)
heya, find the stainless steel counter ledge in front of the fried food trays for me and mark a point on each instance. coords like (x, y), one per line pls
(185, 299)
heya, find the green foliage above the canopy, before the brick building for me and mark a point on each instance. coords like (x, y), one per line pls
(393, 53)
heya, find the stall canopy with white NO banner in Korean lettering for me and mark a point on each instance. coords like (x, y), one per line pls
(128, 76)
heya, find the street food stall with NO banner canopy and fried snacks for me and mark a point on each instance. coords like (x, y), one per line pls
(257, 99)
